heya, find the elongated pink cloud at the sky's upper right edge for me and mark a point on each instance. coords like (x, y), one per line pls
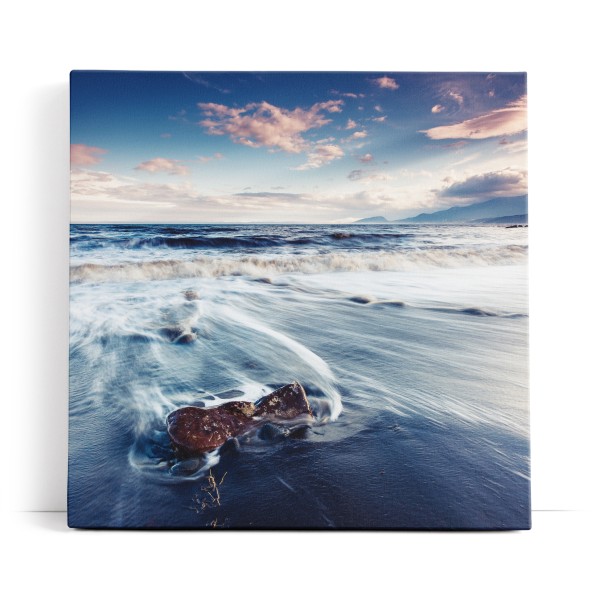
(505, 121)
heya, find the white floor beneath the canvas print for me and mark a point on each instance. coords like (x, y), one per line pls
(556, 559)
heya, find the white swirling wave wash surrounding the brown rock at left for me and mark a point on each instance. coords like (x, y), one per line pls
(132, 372)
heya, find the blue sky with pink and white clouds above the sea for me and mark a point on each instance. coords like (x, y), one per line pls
(277, 147)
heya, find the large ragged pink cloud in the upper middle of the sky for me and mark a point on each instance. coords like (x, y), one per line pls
(263, 124)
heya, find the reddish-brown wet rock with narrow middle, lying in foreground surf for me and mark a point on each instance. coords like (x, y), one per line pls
(194, 430)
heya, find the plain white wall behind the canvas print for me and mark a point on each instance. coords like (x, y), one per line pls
(42, 42)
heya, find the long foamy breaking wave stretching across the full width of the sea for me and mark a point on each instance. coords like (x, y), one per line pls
(262, 266)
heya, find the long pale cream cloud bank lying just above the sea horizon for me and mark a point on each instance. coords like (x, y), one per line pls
(104, 197)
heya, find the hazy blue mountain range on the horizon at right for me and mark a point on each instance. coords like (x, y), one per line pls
(488, 211)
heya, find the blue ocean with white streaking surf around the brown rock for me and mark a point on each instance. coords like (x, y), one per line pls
(411, 342)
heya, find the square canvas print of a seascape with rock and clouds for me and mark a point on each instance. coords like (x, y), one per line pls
(298, 300)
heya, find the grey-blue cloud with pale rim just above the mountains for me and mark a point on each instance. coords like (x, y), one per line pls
(488, 185)
